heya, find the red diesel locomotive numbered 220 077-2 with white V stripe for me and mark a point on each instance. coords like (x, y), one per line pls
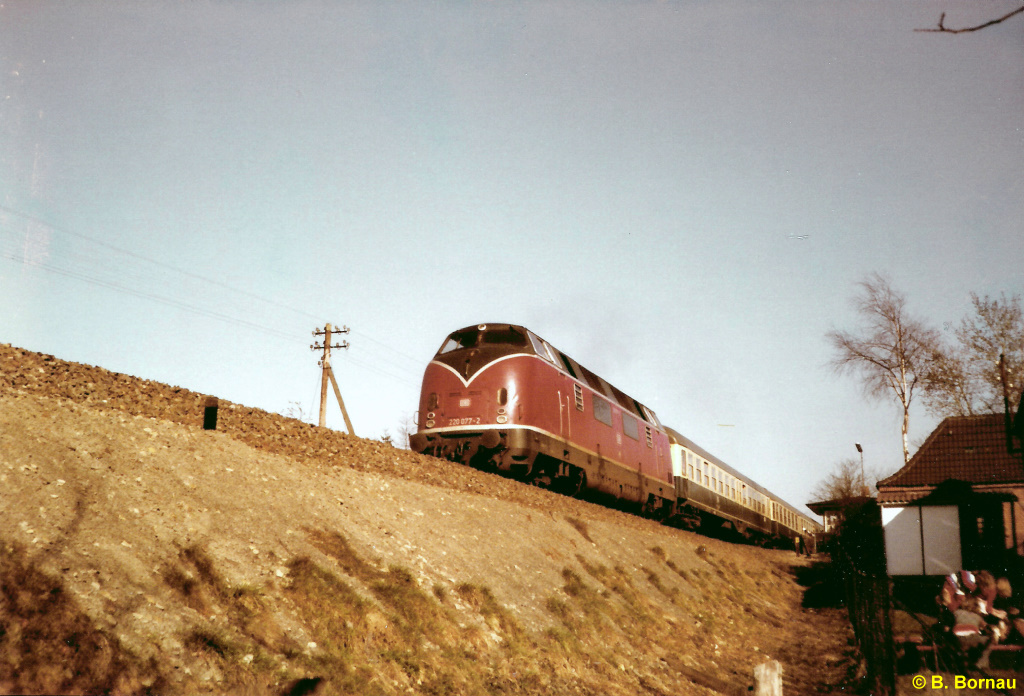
(498, 397)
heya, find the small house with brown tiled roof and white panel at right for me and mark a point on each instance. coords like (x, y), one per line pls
(963, 493)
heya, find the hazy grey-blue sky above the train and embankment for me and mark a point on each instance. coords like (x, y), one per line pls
(681, 196)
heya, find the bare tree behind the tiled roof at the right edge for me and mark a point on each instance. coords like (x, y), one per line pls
(965, 377)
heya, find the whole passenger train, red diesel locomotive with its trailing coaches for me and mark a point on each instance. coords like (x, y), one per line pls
(499, 398)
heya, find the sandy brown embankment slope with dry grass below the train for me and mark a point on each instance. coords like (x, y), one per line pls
(140, 553)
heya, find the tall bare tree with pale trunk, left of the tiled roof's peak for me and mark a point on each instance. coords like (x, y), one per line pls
(891, 353)
